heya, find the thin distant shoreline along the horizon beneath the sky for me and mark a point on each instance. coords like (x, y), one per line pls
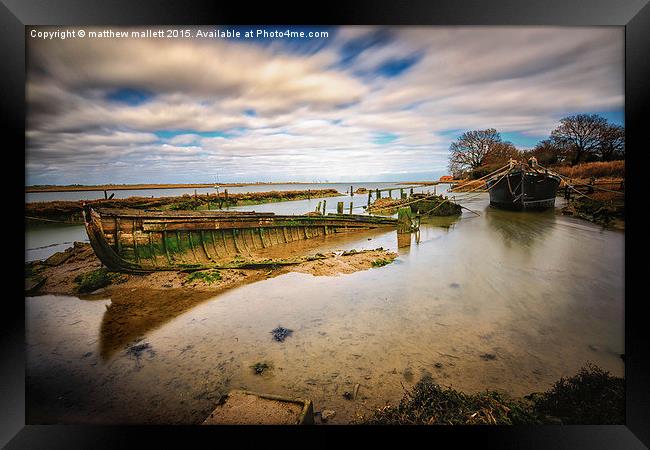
(135, 187)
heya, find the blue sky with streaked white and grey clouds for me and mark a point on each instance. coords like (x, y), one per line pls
(364, 103)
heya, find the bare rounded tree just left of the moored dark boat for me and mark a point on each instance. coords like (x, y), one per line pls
(470, 150)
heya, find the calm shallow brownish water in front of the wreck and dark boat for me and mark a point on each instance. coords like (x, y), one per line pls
(541, 292)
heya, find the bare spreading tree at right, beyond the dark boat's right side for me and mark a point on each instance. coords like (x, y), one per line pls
(582, 134)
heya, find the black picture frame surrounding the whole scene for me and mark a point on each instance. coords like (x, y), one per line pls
(634, 15)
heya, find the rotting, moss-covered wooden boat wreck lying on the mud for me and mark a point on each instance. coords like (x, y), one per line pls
(140, 241)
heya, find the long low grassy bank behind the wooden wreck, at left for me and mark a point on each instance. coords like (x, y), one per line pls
(70, 211)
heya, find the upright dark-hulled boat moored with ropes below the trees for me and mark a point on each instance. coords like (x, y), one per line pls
(523, 186)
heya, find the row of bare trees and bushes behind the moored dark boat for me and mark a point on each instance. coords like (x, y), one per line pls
(578, 138)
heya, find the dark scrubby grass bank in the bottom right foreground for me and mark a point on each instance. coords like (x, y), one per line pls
(591, 397)
